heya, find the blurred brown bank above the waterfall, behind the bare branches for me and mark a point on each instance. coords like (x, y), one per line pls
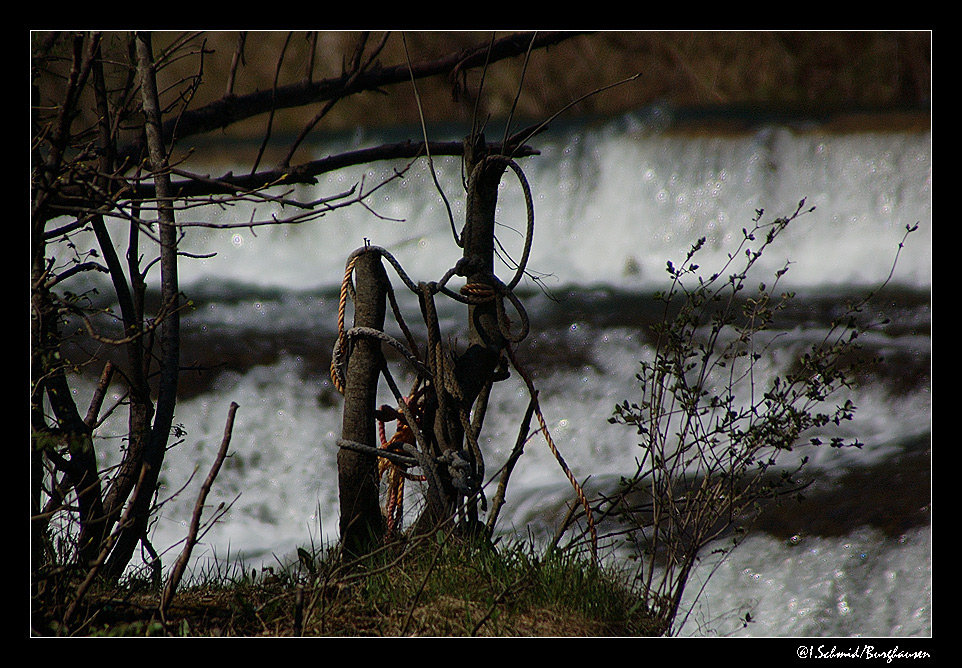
(796, 73)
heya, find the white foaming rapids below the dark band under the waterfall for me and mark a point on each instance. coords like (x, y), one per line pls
(281, 486)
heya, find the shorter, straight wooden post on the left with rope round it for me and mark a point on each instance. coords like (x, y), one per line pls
(361, 524)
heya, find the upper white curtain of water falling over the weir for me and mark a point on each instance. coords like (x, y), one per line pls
(607, 200)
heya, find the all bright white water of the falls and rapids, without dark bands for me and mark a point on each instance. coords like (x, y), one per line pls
(612, 205)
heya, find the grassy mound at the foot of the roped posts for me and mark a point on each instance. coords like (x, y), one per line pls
(433, 587)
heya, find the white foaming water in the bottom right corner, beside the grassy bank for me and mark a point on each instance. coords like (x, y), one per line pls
(861, 585)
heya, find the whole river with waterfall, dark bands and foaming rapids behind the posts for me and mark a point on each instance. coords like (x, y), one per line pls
(614, 200)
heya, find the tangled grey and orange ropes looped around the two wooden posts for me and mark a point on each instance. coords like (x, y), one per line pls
(413, 443)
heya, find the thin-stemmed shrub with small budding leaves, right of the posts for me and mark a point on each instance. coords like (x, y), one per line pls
(713, 424)
